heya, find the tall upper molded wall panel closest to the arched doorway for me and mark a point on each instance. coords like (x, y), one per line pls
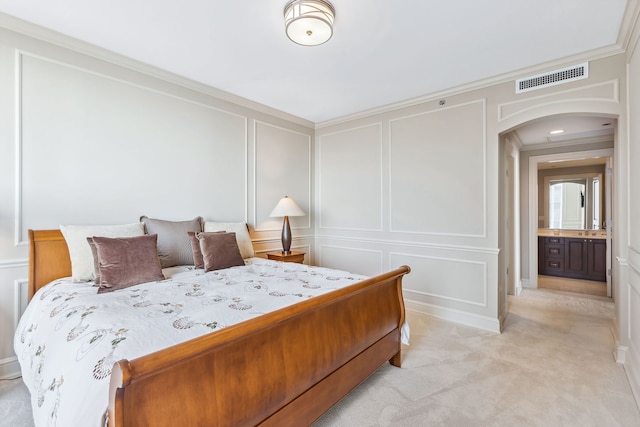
(438, 177)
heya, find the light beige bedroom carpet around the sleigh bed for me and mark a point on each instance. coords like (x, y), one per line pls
(552, 366)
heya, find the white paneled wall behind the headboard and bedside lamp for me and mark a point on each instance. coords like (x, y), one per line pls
(84, 141)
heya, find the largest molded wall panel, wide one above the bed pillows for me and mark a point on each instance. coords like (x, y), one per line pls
(76, 124)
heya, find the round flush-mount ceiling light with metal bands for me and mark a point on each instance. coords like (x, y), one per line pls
(309, 22)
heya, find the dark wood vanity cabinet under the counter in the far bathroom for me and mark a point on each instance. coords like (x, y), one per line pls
(578, 258)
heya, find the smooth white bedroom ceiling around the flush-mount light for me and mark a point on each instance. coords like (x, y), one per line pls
(382, 51)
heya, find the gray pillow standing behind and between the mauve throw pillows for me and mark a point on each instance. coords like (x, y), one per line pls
(174, 245)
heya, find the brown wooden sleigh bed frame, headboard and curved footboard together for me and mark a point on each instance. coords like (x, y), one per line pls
(284, 368)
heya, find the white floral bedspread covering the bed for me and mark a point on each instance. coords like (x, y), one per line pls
(69, 336)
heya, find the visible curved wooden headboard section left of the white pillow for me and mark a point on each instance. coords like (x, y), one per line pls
(48, 258)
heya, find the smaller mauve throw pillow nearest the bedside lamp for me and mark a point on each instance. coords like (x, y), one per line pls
(219, 250)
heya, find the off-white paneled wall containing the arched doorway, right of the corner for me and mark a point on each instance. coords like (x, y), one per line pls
(420, 184)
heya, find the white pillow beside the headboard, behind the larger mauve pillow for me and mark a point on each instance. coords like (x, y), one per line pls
(82, 266)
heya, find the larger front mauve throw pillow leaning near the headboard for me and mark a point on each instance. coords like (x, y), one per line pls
(127, 261)
